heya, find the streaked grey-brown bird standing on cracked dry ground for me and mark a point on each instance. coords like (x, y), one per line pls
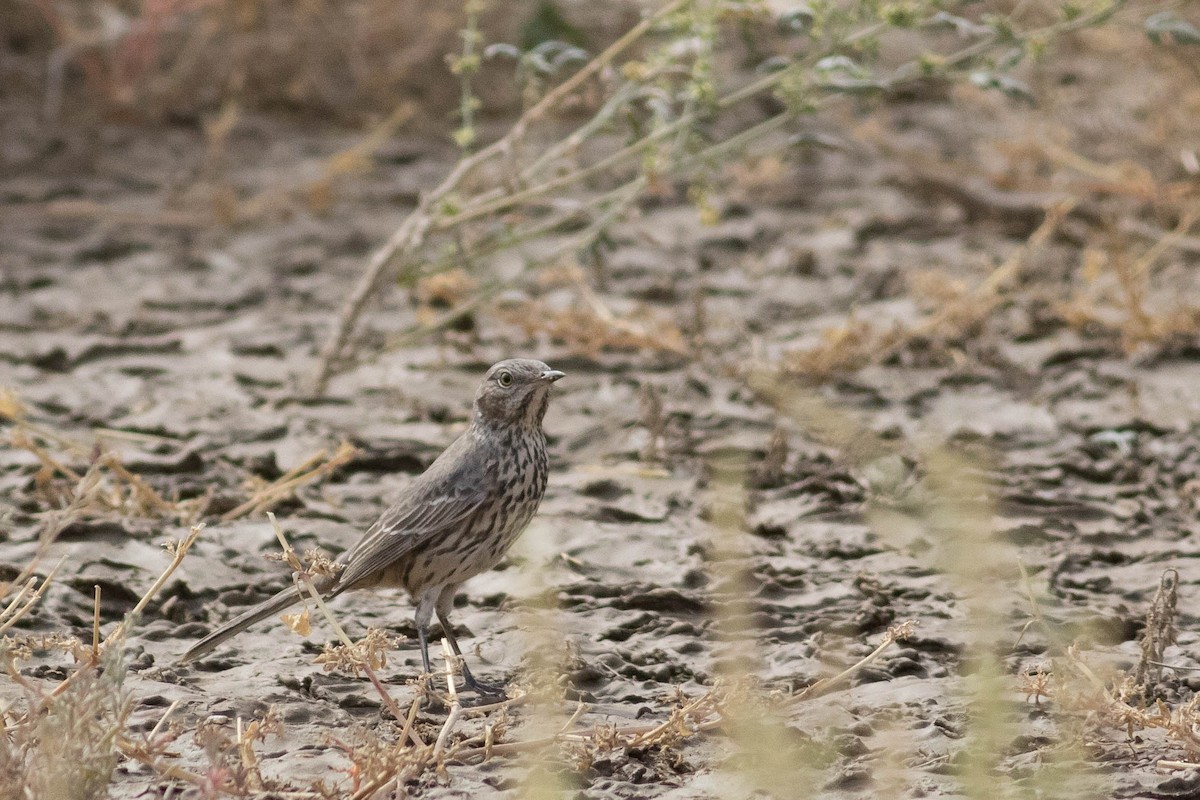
(453, 522)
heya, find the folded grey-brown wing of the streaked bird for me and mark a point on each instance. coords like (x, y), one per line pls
(428, 512)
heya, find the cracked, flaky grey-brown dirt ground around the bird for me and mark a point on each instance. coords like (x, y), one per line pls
(125, 310)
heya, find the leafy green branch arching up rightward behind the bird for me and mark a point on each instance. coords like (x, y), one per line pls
(662, 117)
